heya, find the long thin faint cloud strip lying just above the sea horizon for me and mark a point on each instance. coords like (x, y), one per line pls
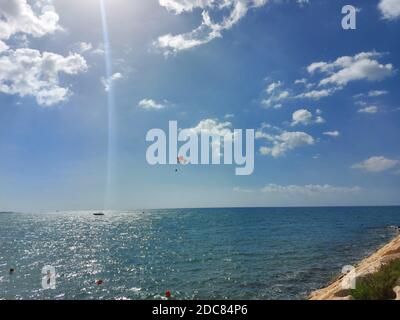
(308, 189)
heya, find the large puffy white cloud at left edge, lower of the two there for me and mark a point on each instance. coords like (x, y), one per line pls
(28, 72)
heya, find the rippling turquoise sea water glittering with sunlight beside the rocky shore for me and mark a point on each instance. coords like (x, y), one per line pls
(259, 253)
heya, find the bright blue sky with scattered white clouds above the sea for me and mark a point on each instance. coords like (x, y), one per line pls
(324, 102)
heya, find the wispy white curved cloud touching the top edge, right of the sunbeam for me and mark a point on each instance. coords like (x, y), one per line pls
(208, 29)
